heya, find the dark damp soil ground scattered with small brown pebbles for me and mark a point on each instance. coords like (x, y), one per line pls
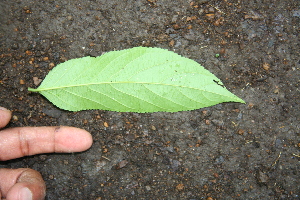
(228, 151)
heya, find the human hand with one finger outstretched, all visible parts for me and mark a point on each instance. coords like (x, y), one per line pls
(25, 183)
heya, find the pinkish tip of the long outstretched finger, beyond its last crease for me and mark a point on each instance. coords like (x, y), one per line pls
(71, 139)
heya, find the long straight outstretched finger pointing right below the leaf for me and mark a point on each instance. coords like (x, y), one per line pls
(19, 142)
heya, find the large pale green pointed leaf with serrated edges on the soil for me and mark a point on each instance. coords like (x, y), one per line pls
(139, 79)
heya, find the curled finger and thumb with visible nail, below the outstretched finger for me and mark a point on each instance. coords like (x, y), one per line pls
(23, 182)
